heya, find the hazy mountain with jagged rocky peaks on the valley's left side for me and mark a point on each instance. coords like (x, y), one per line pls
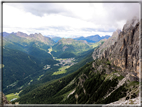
(35, 44)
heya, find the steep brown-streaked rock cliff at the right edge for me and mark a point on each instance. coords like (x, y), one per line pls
(125, 51)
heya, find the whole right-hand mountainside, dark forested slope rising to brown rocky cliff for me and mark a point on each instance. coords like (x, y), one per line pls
(111, 77)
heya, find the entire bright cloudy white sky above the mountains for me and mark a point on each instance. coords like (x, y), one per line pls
(67, 19)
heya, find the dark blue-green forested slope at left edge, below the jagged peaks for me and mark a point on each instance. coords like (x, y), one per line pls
(17, 66)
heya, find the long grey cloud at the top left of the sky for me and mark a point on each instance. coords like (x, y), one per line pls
(39, 9)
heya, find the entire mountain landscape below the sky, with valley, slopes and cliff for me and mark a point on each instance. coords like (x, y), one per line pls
(92, 70)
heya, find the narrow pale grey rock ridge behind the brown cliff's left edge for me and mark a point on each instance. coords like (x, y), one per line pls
(110, 41)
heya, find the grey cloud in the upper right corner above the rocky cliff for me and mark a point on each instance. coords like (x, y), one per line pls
(122, 11)
